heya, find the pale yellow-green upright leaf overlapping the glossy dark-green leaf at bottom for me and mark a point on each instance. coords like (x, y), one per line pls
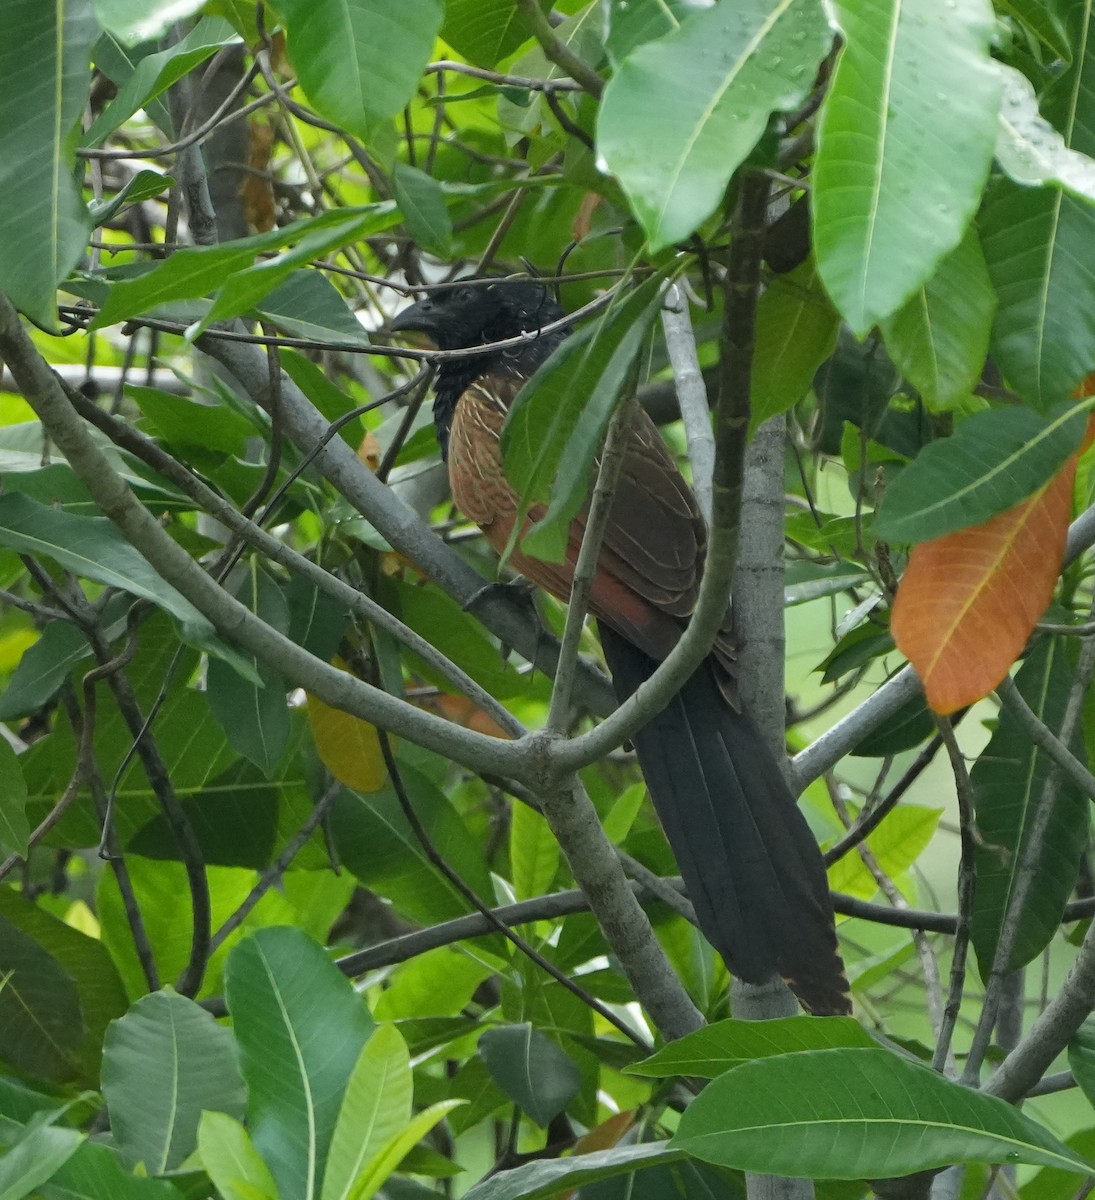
(375, 1109)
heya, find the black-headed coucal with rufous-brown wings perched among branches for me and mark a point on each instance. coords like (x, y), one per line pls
(750, 862)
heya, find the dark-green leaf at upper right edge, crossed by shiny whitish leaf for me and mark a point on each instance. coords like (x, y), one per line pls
(1038, 247)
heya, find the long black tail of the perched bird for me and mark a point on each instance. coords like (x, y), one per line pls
(750, 862)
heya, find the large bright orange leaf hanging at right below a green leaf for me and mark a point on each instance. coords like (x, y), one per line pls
(970, 602)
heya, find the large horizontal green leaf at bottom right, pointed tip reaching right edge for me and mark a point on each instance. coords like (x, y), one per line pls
(857, 1114)
